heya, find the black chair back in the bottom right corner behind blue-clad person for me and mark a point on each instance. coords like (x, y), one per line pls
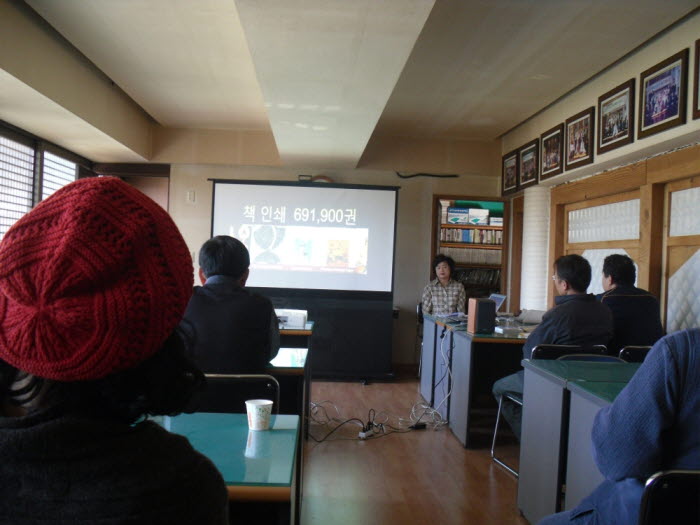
(671, 496)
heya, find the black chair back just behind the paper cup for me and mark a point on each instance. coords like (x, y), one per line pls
(227, 393)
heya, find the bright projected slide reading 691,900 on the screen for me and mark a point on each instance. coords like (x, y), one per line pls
(311, 237)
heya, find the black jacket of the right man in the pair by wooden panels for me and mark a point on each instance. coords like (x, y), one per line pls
(636, 317)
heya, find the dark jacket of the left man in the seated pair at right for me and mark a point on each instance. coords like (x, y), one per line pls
(574, 320)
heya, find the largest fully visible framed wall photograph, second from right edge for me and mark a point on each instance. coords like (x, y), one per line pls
(662, 91)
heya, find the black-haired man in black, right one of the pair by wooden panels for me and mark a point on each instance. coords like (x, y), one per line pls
(636, 313)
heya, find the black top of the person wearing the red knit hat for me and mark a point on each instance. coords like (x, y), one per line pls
(59, 468)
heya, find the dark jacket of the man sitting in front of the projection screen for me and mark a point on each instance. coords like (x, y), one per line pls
(235, 331)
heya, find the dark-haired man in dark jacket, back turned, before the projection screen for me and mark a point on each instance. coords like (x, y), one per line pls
(236, 331)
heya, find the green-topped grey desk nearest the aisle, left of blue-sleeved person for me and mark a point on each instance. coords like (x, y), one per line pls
(547, 429)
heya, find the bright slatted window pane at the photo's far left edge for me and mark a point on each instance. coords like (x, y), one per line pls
(16, 182)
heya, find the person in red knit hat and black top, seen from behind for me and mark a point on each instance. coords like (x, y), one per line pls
(94, 282)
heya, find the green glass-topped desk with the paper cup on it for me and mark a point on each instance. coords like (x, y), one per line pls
(256, 466)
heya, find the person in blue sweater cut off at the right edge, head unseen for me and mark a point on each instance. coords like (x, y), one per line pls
(653, 425)
